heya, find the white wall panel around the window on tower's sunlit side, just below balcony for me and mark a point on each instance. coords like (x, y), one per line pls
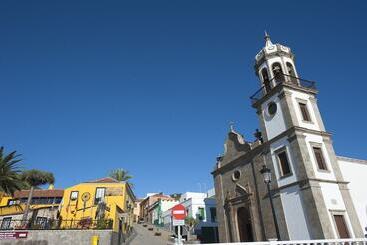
(296, 96)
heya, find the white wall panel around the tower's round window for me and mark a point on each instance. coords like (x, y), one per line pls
(274, 124)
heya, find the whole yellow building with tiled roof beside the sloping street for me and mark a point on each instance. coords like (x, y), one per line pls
(102, 203)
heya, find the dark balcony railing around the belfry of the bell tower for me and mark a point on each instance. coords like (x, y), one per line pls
(282, 79)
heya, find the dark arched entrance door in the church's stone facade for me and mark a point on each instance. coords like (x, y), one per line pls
(244, 225)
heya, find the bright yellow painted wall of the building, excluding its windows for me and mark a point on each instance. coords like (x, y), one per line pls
(115, 198)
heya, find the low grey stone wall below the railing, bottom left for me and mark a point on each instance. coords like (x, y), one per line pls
(65, 237)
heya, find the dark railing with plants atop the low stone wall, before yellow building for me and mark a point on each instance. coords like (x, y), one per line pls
(51, 224)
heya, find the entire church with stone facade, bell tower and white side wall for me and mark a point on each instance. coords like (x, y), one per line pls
(288, 184)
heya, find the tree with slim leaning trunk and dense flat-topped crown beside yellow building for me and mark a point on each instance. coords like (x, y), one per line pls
(35, 178)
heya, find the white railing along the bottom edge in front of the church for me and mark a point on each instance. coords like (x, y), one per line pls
(353, 241)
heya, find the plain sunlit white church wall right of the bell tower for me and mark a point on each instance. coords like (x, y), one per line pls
(355, 172)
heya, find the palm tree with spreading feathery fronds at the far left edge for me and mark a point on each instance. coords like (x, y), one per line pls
(9, 172)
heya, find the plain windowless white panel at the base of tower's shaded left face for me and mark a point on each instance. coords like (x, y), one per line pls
(296, 220)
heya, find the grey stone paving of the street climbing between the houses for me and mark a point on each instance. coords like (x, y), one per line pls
(144, 236)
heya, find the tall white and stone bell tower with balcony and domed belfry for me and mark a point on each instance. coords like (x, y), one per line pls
(307, 182)
